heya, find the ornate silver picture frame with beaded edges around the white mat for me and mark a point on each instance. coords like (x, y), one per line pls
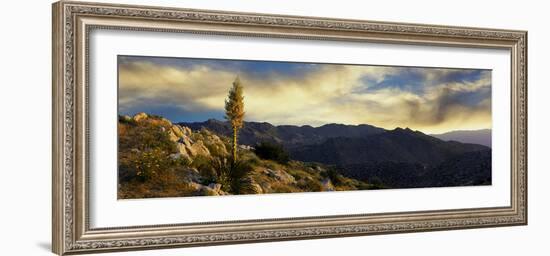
(72, 22)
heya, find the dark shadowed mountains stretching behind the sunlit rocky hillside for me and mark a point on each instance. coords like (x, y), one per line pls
(394, 158)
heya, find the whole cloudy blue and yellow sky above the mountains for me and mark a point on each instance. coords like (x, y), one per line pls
(432, 100)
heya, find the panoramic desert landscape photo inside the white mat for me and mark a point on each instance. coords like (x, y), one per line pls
(213, 127)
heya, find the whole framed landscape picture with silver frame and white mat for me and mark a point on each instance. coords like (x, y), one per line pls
(178, 127)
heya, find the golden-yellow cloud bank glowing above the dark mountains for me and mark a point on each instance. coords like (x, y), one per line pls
(328, 94)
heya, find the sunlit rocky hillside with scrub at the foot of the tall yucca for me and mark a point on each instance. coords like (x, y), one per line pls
(160, 159)
